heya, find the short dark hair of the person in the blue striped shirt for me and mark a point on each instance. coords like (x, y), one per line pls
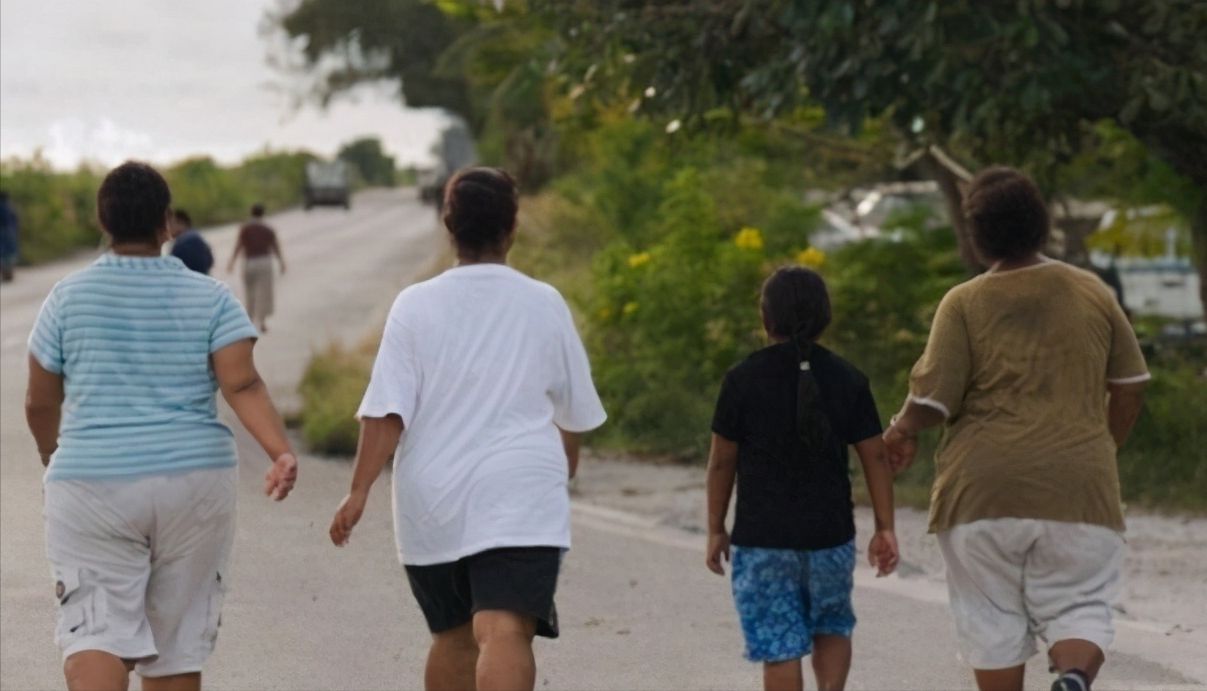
(132, 204)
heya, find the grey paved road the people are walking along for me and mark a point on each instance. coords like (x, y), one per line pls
(639, 611)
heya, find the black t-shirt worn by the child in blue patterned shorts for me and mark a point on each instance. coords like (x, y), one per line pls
(788, 496)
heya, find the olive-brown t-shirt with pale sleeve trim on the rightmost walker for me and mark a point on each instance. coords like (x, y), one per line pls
(1019, 362)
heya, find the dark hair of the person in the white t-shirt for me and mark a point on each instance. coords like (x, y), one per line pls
(480, 208)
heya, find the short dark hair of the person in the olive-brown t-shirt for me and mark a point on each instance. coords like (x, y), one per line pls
(1010, 218)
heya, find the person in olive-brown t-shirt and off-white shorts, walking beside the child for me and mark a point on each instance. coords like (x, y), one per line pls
(1019, 368)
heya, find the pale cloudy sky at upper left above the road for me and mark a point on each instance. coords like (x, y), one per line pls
(160, 80)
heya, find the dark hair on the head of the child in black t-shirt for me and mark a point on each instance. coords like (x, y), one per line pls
(796, 304)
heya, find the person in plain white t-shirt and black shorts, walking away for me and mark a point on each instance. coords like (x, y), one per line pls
(482, 367)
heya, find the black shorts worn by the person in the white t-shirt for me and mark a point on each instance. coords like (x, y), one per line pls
(521, 580)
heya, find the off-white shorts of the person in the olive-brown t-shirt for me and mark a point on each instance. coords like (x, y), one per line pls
(1012, 580)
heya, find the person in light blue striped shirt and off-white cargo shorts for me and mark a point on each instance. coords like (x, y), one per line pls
(125, 363)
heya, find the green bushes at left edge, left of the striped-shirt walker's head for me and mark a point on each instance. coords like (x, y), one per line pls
(57, 211)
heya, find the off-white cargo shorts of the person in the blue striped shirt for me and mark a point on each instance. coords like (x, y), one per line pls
(138, 566)
